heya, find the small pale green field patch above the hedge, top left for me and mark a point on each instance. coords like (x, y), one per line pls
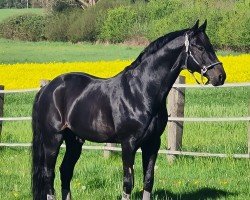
(5, 13)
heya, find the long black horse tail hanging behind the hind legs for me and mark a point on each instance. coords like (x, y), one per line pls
(38, 154)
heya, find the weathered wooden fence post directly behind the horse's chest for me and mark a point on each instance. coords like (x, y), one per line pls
(175, 105)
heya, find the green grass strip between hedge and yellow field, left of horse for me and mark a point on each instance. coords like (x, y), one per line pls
(20, 52)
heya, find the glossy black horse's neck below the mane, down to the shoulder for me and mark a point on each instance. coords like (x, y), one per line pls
(156, 74)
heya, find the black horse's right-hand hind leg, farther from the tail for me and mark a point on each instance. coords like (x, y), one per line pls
(72, 154)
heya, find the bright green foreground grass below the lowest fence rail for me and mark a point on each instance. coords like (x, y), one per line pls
(98, 178)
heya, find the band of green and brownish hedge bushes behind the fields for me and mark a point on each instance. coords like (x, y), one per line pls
(118, 21)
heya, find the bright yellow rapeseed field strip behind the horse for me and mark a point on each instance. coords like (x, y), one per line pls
(28, 75)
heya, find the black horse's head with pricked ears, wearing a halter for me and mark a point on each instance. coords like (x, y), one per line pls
(201, 56)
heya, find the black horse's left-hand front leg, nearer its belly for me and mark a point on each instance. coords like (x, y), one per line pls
(128, 158)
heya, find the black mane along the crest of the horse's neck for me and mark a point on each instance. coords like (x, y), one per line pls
(155, 46)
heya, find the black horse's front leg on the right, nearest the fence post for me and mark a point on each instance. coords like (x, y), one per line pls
(149, 155)
